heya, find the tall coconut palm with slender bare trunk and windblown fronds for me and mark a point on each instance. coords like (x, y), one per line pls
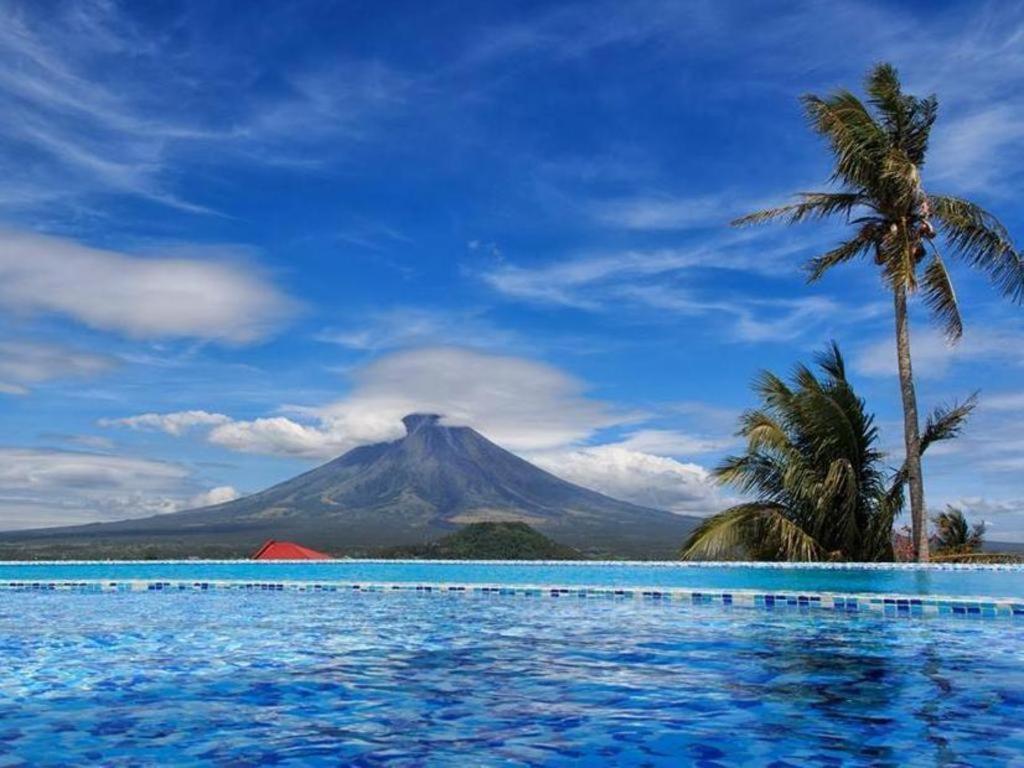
(879, 151)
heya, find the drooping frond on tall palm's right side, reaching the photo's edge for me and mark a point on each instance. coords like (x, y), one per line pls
(983, 241)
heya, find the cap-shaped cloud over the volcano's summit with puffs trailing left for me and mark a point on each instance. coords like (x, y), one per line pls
(522, 404)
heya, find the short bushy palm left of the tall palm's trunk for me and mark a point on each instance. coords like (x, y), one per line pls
(813, 465)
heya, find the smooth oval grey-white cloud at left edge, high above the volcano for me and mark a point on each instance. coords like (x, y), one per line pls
(144, 298)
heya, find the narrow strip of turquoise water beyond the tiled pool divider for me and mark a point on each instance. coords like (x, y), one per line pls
(1005, 582)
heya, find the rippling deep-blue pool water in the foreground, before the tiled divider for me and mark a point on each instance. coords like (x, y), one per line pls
(402, 678)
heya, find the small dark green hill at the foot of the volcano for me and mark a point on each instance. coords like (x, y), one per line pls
(491, 541)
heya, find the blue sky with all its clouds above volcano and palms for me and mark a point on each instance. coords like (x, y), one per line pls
(235, 245)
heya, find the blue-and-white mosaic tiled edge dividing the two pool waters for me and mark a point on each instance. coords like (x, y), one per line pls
(873, 605)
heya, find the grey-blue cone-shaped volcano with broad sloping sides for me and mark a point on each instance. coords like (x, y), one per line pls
(408, 492)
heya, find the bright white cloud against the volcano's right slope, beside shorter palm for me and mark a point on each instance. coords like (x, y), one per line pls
(634, 477)
